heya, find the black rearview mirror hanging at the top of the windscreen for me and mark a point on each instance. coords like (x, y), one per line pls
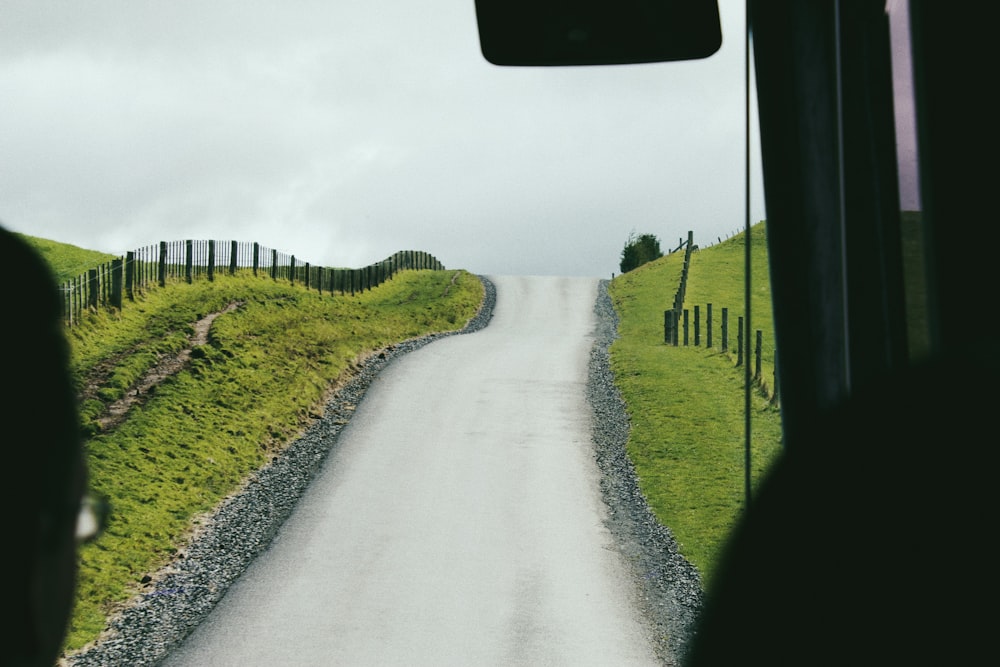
(597, 32)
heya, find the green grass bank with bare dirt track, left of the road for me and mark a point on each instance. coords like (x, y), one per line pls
(263, 375)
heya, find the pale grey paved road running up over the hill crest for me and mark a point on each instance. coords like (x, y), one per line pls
(458, 522)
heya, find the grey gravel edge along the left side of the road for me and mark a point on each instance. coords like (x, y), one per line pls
(181, 595)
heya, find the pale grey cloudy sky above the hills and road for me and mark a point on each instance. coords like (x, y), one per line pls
(342, 131)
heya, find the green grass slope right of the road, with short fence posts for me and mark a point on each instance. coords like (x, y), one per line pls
(686, 403)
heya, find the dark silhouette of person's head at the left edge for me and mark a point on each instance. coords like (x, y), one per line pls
(45, 473)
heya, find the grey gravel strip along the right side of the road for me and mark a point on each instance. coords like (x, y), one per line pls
(669, 585)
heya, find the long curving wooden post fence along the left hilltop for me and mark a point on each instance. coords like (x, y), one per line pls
(113, 284)
